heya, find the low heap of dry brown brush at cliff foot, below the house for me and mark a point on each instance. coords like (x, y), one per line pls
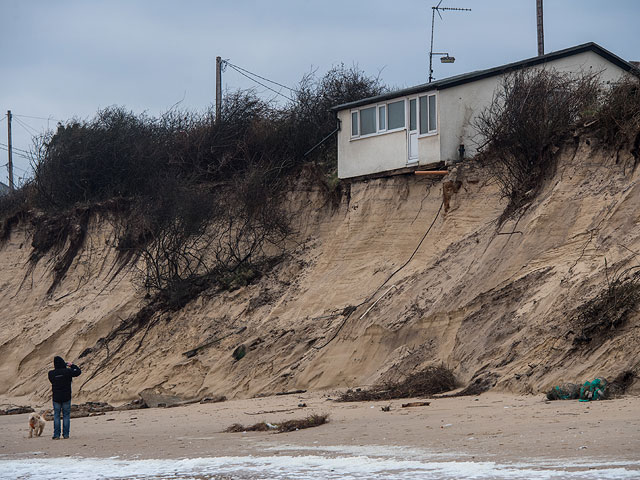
(431, 381)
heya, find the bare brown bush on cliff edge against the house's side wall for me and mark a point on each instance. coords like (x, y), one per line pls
(532, 113)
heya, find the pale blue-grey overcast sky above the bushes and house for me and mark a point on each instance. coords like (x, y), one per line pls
(70, 58)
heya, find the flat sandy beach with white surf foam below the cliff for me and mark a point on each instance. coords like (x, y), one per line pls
(581, 440)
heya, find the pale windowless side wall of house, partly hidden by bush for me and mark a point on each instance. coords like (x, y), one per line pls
(459, 106)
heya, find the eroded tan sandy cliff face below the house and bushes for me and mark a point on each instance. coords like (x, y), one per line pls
(495, 305)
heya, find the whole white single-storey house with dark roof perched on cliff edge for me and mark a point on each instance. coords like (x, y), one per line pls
(433, 122)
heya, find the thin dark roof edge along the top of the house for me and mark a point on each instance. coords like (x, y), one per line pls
(481, 74)
